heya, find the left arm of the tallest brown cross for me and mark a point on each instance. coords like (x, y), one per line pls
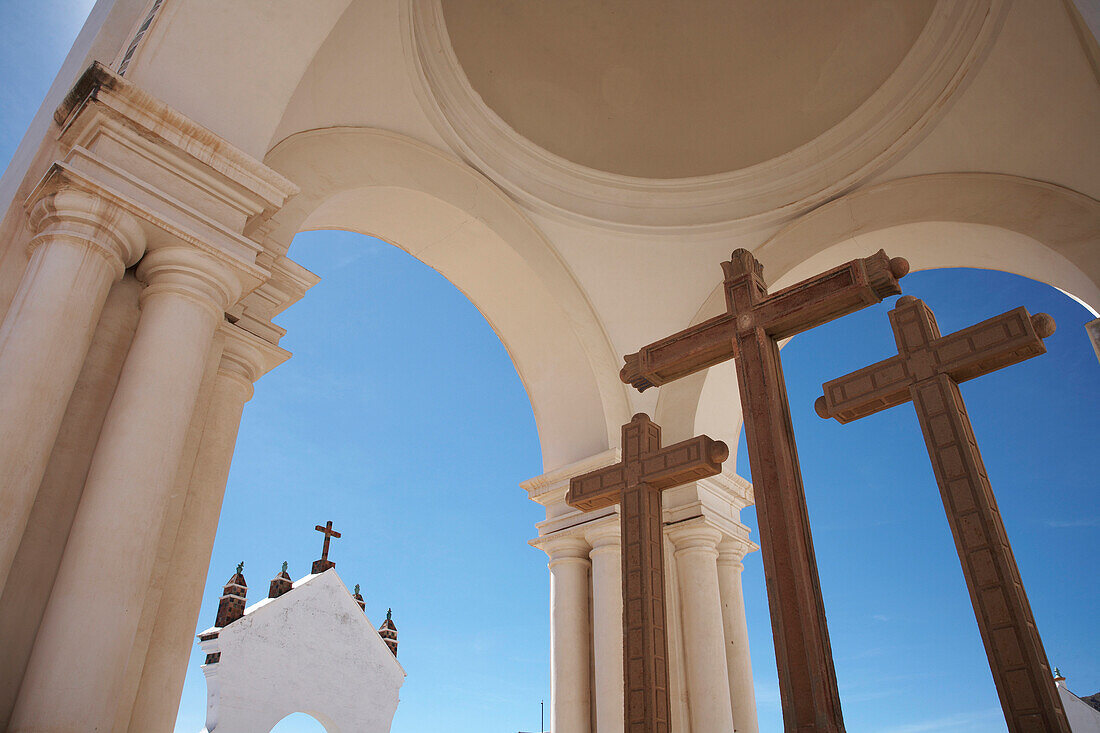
(680, 355)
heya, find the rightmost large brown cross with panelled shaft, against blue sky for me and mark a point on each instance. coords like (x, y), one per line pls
(927, 371)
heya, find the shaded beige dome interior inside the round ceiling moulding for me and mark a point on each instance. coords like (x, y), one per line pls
(663, 90)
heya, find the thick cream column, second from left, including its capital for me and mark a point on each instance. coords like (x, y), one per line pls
(80, 659)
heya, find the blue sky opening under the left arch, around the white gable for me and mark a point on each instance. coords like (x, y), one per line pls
(402, 419)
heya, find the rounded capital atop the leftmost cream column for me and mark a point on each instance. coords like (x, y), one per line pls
(85, 220)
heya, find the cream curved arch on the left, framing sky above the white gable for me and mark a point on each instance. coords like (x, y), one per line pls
(452, 218)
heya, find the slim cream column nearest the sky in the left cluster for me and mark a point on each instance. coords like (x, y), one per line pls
(244, 360)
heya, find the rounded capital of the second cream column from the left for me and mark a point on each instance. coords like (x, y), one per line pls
(192, 273)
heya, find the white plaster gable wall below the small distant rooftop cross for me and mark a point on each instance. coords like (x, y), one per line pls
(311, 651)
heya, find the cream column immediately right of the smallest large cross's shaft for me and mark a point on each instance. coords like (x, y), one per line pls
(697, 554)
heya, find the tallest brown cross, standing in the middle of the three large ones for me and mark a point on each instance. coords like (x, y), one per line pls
(749, 333)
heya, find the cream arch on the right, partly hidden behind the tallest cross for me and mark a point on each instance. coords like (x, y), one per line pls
(988, 222)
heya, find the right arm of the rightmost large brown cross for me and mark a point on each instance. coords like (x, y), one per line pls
(994, 344)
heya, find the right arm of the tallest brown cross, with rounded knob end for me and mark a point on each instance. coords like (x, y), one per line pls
(835, 293)
